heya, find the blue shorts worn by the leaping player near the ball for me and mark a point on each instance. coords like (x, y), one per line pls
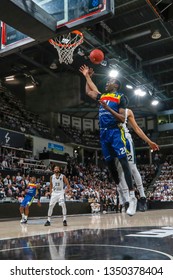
(113, 143)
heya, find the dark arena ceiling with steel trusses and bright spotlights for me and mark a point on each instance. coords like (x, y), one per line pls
(137, 41)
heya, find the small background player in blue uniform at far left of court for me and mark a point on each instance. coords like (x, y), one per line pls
(32, 190)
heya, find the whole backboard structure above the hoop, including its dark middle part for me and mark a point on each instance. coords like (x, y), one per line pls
(38, 17)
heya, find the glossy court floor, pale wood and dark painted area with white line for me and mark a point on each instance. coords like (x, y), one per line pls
(113, 236)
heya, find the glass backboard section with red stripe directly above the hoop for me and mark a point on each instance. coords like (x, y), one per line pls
(75, 13)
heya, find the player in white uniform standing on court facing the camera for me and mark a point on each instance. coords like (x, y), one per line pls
(57, 183)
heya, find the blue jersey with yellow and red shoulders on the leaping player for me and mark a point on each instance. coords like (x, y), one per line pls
(114, 101)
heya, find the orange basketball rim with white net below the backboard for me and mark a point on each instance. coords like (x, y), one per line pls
(66, 44)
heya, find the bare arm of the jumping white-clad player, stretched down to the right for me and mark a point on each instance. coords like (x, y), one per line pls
(140, 132)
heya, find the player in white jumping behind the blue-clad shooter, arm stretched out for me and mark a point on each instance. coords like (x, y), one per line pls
(122, 187)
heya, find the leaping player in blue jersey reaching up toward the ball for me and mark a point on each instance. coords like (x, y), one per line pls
(112, 139)
